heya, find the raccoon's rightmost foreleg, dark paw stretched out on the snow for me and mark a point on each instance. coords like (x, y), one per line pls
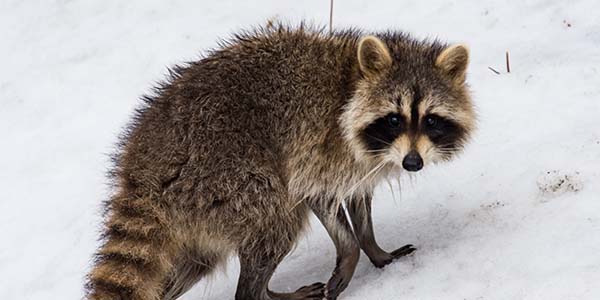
(359, 210)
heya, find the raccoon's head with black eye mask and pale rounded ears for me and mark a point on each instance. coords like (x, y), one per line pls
(411, 106)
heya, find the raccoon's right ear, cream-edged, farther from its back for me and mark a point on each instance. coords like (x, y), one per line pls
(453, 61)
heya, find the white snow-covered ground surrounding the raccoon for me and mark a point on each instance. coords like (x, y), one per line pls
(516, 217)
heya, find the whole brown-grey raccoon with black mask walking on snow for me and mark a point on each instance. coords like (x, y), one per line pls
(232, 154)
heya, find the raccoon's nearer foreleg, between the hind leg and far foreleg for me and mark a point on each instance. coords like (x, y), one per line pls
(347, 248)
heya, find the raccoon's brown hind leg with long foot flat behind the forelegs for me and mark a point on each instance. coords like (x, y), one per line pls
(273, 233)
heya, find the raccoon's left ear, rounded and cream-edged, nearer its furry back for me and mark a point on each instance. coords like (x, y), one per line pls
(373, 56)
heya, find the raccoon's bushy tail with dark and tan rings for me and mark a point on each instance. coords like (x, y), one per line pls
(136, 257)
